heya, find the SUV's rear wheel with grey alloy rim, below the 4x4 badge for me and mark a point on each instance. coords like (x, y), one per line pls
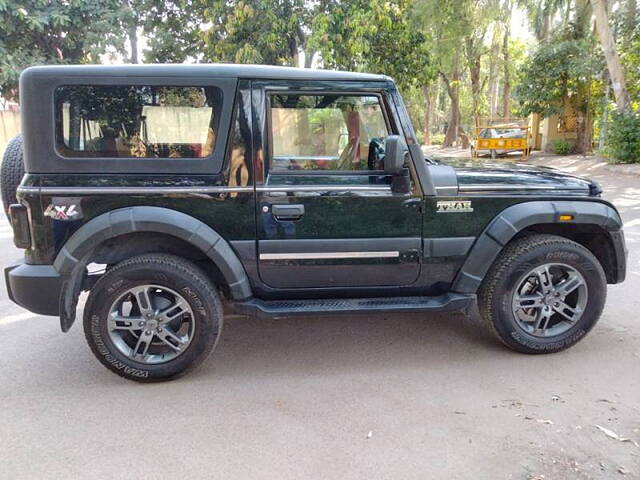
(138, 347)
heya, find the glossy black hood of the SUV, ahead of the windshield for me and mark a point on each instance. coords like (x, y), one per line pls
(518, 178)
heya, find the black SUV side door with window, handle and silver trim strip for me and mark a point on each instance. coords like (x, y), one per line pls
(326, 214)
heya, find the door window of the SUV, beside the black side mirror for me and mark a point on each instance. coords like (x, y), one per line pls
(327, 132)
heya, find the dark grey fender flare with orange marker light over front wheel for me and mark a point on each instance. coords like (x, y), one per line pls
(518, 217)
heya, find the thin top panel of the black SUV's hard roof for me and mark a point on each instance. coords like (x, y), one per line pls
(200, 70)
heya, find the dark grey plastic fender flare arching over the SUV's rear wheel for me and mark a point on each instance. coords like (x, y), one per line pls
(73, 257)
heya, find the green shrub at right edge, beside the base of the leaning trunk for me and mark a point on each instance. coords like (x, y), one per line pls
(622, 144)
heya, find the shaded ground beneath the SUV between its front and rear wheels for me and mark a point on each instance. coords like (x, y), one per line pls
(336, 345)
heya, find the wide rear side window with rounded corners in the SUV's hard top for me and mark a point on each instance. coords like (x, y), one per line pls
(137, 121)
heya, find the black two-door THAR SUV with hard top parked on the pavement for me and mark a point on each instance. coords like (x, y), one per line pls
(168, 191)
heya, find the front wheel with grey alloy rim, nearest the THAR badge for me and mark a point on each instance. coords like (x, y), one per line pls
(513, 303)
